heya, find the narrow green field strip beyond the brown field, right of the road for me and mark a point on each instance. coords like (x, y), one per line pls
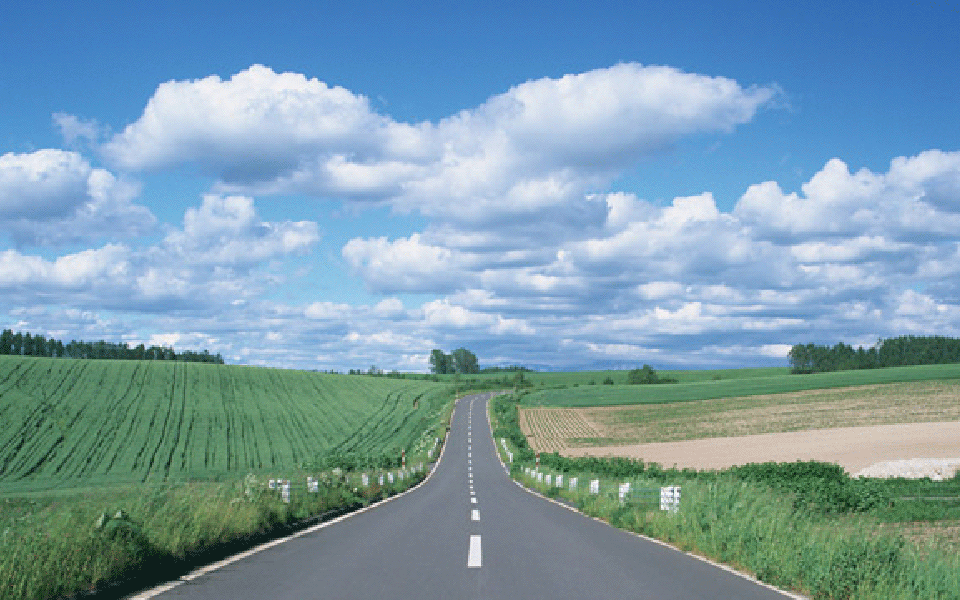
(708, 385)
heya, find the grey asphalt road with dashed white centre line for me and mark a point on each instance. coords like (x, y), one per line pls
(469, 532)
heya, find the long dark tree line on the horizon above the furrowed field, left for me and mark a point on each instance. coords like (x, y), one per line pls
(27, 344)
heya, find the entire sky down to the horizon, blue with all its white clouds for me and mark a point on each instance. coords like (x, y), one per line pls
(332, 186)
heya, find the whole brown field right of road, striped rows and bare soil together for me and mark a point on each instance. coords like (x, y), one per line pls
(854, 427)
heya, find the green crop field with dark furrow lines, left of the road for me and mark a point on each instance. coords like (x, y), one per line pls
(70, 423)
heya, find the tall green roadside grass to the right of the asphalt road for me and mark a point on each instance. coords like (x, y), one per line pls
(763, 533)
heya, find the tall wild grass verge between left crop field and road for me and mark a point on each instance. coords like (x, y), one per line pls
(130, 537)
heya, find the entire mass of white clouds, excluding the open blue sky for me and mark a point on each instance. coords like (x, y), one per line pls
(528, 255)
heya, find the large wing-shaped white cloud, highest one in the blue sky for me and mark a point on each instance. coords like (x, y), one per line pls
(540, 145)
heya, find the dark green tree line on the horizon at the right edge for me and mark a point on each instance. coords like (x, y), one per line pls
(906, 350)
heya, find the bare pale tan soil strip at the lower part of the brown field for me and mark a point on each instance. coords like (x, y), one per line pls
(853, 448)
